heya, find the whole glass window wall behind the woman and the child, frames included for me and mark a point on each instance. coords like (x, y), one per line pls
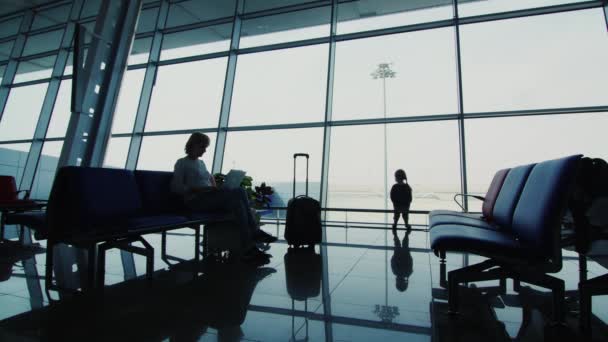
(524, 69)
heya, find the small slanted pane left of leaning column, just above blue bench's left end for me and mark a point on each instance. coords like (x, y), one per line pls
(47, 166)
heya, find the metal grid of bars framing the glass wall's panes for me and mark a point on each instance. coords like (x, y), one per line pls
(153, 63)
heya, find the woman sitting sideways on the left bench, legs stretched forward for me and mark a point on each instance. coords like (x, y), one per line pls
(193, 182)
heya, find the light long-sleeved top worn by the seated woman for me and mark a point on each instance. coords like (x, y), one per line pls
(188, 174)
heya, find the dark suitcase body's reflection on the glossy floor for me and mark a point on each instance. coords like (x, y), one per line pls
(303, 273)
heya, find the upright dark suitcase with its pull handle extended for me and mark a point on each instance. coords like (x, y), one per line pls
(303, 225)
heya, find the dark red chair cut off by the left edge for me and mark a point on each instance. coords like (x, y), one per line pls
(11, 204)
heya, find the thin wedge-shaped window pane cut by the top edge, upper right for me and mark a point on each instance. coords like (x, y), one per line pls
(468, 8)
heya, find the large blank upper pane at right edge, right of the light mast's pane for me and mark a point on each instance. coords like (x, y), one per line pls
(548, 61)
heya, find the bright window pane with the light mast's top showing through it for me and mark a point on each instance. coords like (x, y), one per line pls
(425, 80)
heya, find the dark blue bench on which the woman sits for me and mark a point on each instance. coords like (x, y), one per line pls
(98, 209)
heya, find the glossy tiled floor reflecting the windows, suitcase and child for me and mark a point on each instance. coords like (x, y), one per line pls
(363, 285)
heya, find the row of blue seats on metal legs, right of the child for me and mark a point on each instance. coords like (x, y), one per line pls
(525, 245)
